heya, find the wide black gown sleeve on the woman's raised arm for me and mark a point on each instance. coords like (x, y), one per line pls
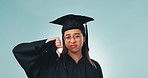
(36, 55)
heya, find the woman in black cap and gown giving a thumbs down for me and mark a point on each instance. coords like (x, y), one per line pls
(41, 59)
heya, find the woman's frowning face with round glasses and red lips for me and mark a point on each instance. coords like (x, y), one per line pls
(74, 40)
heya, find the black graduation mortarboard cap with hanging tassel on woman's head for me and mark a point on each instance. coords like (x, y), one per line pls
(72, 21)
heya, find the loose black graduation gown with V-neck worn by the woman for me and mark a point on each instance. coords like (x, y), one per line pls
(39, 60)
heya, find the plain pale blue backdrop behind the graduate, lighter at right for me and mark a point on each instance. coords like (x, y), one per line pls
(118, 37)
